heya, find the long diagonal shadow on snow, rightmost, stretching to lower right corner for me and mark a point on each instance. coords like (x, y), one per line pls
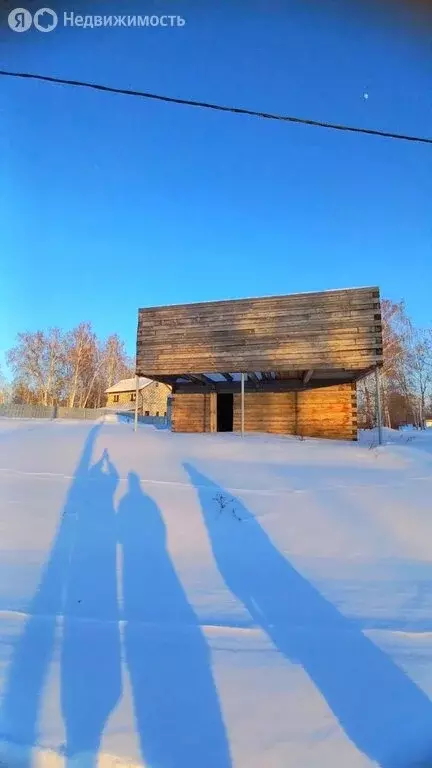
(380, 708)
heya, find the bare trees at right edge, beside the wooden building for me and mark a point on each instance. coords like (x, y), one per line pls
(406, 376)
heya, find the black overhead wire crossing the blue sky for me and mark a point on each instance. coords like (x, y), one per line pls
(217, 107)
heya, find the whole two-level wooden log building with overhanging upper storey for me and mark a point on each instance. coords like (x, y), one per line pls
(300, 355)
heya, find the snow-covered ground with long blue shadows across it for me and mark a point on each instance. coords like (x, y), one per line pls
(209, 602)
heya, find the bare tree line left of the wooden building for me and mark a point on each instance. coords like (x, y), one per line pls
(72, 368)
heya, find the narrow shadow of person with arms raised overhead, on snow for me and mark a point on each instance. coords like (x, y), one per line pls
(90, 657)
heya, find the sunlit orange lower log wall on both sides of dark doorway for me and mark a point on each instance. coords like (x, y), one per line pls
(329, 412)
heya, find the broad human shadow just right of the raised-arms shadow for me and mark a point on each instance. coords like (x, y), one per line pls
(176, 705)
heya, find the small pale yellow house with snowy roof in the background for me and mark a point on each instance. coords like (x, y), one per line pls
(152, 396)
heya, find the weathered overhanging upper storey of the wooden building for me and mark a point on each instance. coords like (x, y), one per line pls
(335, 329)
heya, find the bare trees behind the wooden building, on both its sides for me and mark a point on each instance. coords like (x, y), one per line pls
(75, 368)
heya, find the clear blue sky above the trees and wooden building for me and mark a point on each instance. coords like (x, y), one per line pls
(109, 203)
